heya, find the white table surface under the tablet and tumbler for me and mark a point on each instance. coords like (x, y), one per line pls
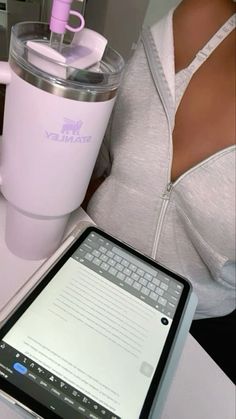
(200, 390)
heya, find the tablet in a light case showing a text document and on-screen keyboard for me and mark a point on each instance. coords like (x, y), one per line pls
(100, 335)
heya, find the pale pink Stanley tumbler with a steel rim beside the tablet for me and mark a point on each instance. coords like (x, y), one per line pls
(54, 121)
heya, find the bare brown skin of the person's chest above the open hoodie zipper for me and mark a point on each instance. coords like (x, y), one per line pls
(205, 119)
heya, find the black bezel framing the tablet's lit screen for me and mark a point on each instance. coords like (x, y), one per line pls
(35, 405)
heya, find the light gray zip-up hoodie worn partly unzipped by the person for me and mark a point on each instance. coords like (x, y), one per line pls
(187, 225)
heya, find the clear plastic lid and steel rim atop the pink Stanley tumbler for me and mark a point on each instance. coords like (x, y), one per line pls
(99, 82)
